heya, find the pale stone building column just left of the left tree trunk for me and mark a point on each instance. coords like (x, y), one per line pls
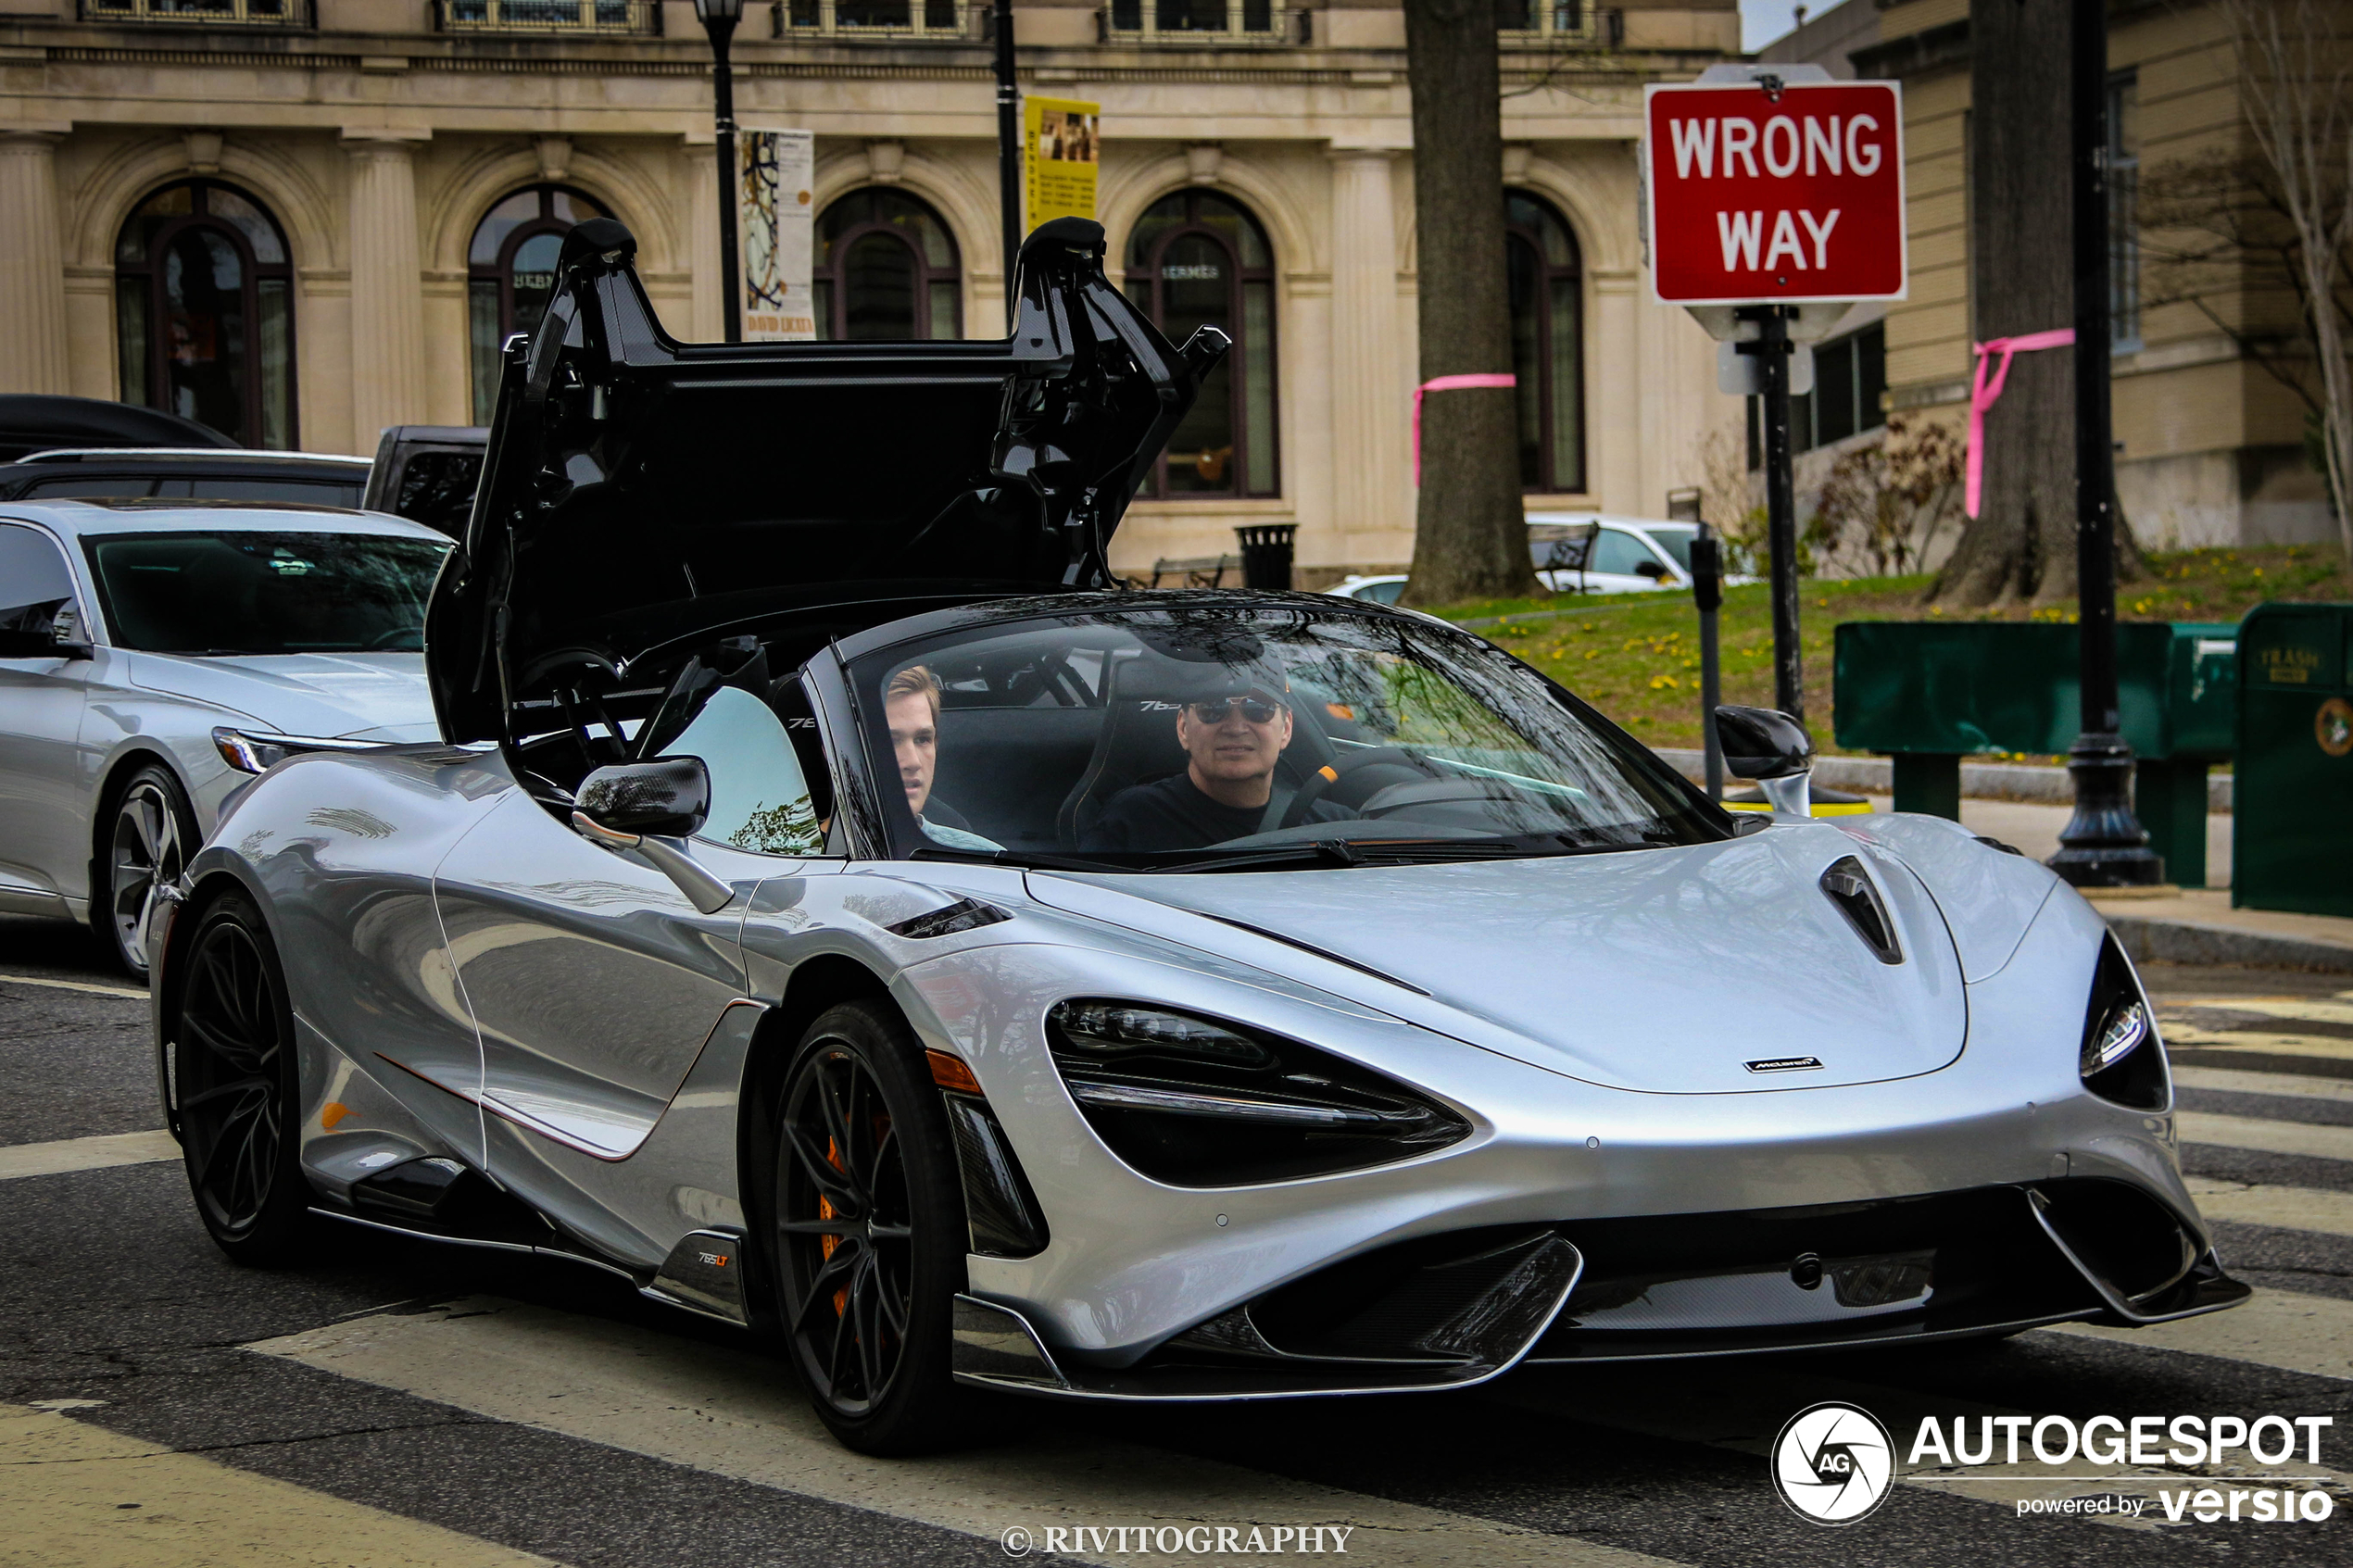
(1371, 490)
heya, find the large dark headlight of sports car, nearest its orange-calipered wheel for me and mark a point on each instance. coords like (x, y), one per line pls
(1201, 1104)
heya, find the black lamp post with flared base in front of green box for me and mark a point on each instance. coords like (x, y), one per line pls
(2105, 843)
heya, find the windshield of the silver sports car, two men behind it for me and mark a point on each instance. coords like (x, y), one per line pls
(1251, 737)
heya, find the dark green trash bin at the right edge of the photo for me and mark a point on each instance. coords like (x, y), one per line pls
(2293, 812)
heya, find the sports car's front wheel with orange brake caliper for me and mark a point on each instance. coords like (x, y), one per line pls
(869, 1233)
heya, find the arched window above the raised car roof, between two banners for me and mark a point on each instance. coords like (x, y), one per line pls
(886, 269)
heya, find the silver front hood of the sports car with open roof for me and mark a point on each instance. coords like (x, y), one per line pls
(1665, 970)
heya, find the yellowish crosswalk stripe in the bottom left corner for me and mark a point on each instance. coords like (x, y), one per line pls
(79, 1496)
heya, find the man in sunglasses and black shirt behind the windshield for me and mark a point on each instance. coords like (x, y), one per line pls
(1232, 739)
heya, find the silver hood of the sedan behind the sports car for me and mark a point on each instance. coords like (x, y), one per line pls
(359, 697)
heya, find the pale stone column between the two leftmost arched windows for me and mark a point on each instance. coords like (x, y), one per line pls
(387, 288)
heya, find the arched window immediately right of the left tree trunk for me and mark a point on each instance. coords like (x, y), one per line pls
(1547, 344)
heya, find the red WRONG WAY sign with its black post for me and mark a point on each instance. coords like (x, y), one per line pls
(1773, 192)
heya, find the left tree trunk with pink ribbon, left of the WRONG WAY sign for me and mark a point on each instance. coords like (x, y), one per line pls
(1469, 525)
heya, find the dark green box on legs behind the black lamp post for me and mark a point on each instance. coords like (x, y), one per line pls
(1933, 692)
